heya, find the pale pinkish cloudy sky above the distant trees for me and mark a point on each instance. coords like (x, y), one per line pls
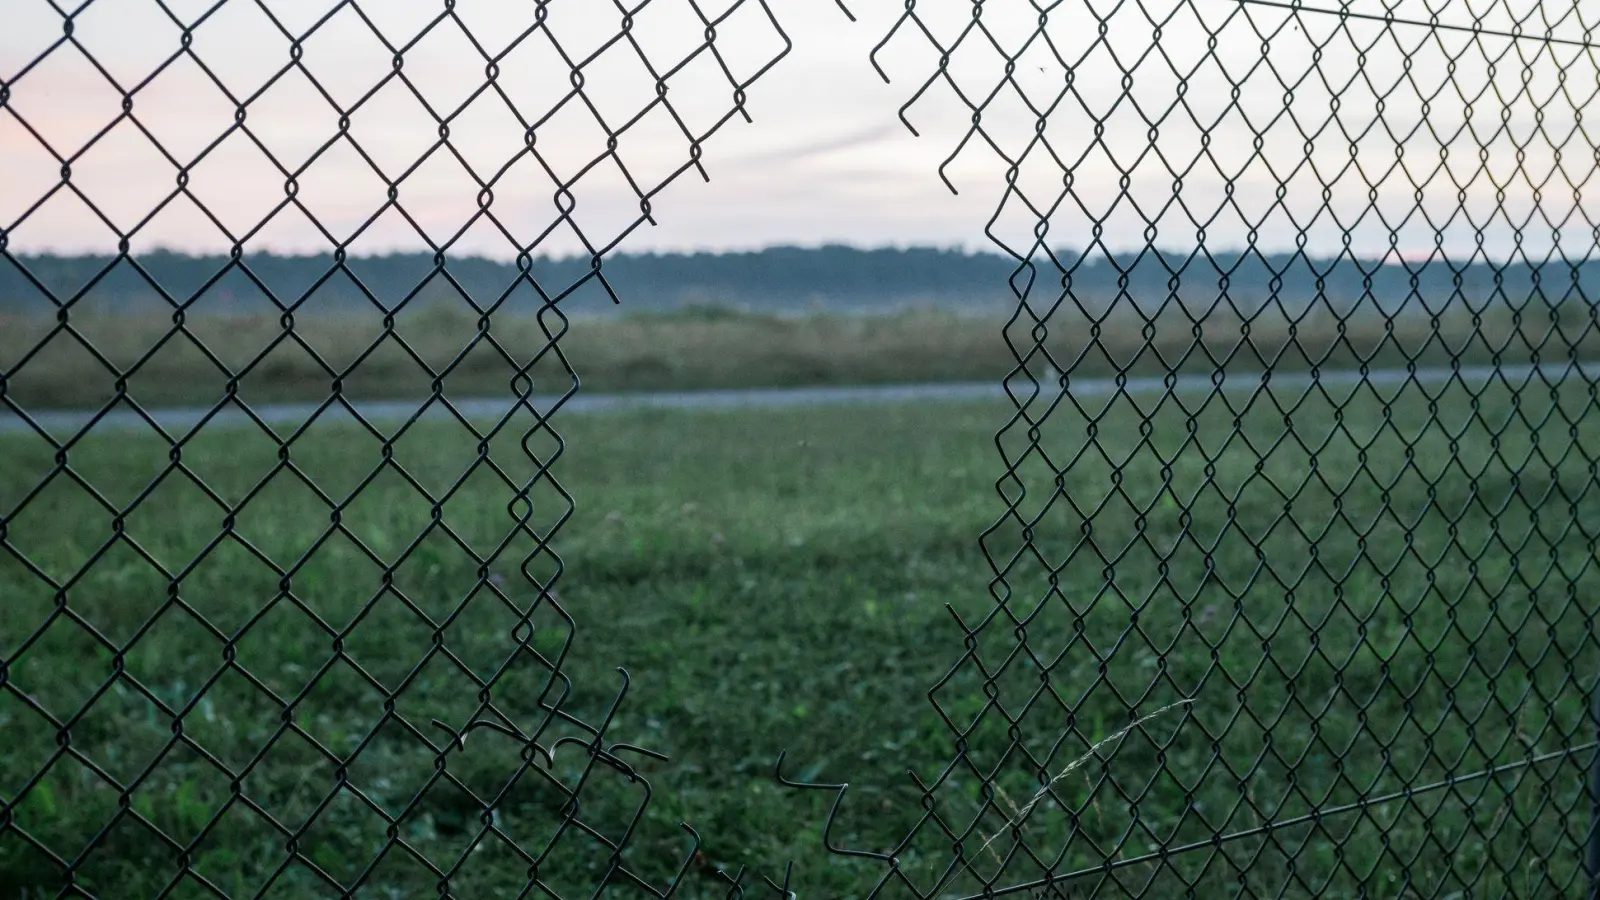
(826, 158)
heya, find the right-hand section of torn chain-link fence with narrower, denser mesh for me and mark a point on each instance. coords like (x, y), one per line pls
(1327, 625)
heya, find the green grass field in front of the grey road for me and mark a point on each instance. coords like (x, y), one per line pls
(1354, 598)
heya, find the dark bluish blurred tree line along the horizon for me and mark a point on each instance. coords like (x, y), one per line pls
(775, 279)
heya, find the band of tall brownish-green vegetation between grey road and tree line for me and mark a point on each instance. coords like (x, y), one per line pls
(47, 366)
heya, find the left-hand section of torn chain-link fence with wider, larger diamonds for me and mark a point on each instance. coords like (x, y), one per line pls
(313, 736)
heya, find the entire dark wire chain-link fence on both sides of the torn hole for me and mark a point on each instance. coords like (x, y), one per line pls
(1298, 603)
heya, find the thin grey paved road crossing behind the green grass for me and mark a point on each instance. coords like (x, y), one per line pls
(65, 424)
